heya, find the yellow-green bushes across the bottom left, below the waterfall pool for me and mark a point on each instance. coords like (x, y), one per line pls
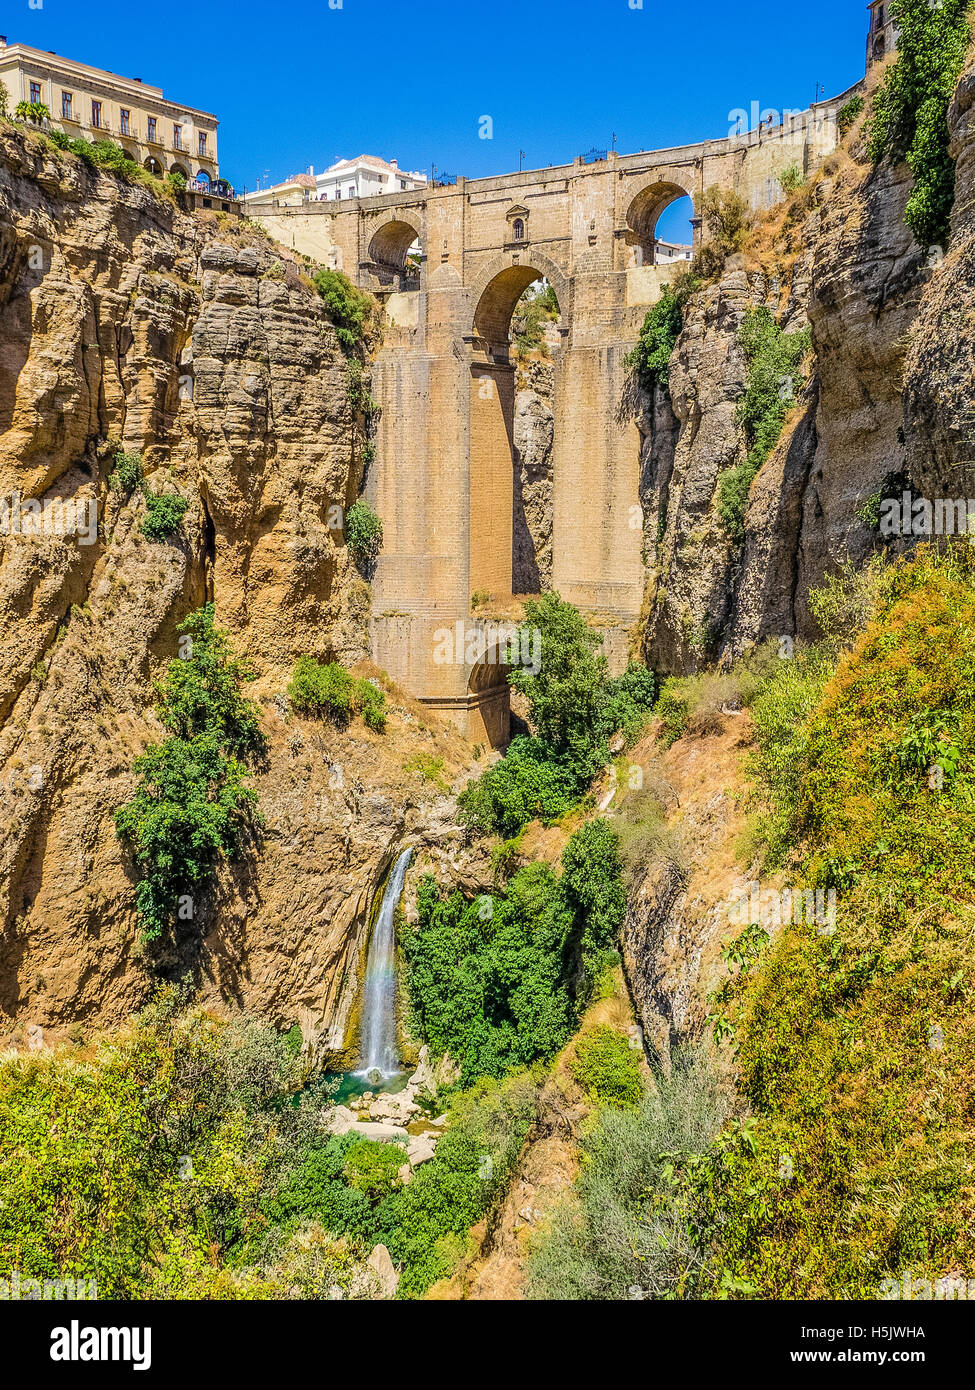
(190, 1159)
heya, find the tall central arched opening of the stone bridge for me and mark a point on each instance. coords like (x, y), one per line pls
(518, 336)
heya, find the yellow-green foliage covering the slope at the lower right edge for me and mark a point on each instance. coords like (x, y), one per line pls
(855, 1045)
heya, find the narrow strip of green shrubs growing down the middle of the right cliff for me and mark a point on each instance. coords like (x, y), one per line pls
(774, 379)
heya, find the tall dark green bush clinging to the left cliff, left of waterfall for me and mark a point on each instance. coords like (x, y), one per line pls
(193, 806)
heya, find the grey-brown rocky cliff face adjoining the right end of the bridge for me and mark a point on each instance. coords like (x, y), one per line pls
(842, 261)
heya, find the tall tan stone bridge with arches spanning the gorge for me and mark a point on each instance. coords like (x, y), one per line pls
(443, 477)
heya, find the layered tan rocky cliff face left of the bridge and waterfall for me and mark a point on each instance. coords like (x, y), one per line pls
(195, 343)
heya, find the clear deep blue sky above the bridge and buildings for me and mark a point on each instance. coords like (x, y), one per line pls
(301, 84)
